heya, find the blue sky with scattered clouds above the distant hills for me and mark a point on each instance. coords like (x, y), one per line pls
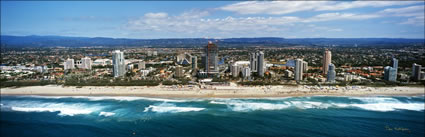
(215, 19)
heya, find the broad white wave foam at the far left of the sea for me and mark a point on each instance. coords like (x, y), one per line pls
(64, 109)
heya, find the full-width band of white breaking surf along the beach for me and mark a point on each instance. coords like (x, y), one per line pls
(160, 105)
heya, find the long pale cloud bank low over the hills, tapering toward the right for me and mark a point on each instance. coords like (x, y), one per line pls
(196, 23)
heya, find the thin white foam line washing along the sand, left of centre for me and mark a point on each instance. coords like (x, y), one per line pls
(119, 98)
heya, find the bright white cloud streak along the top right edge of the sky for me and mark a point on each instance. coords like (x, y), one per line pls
(285, 7)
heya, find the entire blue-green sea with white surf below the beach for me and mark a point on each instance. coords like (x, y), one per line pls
(103, 116)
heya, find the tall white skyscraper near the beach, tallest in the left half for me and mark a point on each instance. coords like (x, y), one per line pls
(119, 63)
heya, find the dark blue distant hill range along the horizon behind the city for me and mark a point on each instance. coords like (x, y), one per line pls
(61, 41)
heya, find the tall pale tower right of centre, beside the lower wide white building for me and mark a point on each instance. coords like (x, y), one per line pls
(257, 62)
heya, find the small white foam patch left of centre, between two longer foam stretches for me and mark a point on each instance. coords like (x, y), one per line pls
(170, 108)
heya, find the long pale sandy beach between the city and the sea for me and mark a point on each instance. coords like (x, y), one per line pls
(232, 91)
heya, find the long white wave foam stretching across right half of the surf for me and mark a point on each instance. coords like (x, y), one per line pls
(382, 104)
